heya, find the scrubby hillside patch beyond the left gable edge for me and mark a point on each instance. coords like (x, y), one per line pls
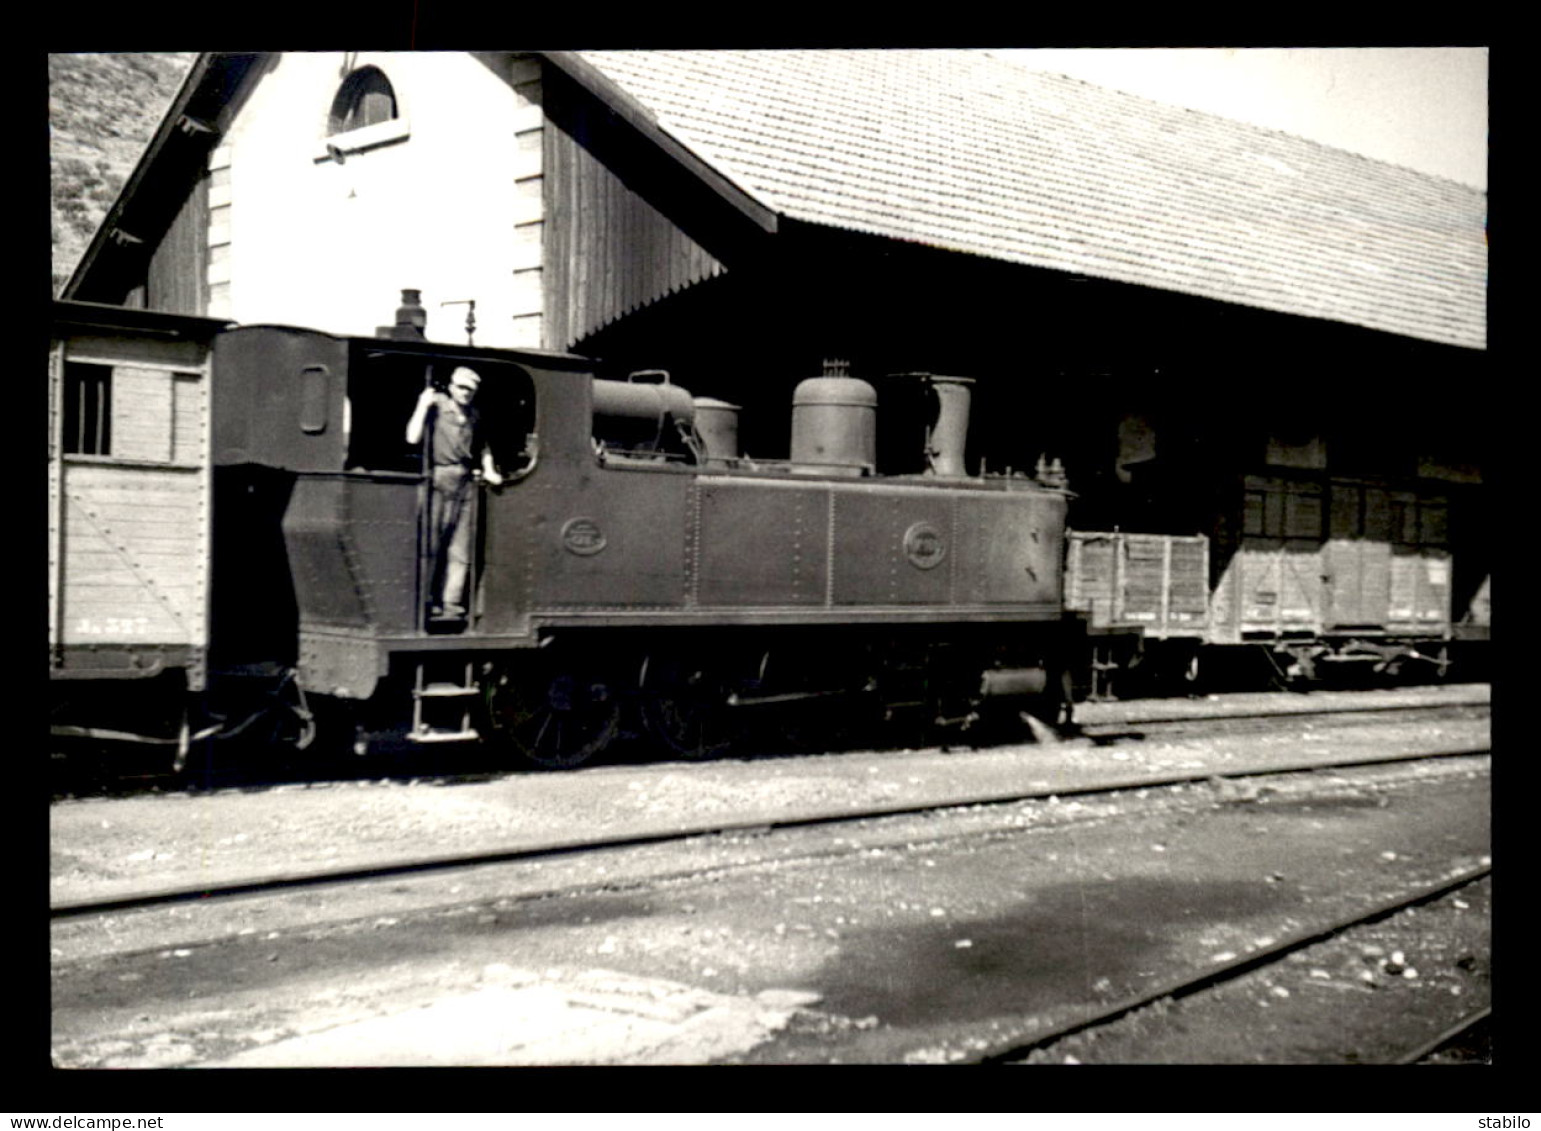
(102, 110)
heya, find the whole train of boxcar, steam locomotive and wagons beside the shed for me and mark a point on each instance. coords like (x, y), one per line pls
(240, 549)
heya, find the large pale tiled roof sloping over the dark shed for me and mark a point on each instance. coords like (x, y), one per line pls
(975, 153)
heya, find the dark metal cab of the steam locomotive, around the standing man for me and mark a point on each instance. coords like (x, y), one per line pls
(320, 494)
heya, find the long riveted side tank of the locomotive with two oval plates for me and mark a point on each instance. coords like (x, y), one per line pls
(633, 542)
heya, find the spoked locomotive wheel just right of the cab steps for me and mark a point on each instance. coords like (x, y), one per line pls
(557, 720)
